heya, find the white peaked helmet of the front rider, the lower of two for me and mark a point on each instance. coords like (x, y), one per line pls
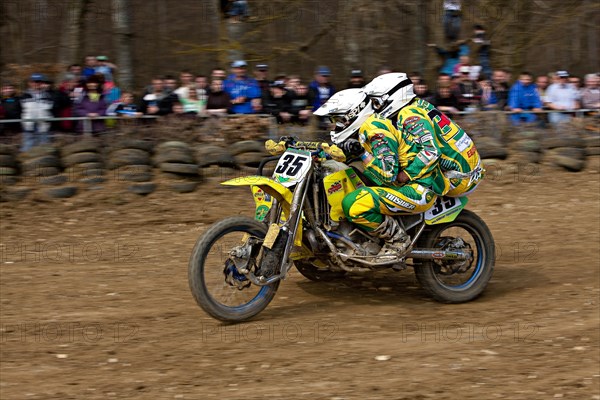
(347, 109)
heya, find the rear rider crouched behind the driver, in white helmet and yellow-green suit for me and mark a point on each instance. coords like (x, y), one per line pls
(394, 98)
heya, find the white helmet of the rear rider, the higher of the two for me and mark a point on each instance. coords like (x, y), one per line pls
(390, 92)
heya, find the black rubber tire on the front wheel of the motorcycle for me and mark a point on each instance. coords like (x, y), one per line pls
(197, 271)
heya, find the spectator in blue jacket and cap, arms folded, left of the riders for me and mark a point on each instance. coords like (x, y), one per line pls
(244, 91)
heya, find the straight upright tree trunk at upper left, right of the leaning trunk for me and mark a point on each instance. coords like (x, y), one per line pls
(122, 29)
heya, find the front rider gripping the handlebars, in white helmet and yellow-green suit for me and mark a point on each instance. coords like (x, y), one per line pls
(407, 181)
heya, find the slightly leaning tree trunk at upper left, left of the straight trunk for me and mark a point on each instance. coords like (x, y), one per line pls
(71, 49)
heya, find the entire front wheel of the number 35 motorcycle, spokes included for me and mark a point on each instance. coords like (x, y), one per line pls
(215, 281)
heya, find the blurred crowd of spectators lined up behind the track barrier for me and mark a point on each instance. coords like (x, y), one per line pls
(465, 82)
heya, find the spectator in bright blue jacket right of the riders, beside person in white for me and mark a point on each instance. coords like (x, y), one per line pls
(523, 95)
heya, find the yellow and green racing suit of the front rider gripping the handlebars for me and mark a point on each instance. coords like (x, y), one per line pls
(388, 152)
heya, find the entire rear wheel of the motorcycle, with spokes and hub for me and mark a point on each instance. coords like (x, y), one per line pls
(458, 281)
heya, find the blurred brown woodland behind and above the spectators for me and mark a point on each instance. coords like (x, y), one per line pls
(156, 37)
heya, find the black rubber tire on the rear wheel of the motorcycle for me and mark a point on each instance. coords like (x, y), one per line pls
(478, 275)
